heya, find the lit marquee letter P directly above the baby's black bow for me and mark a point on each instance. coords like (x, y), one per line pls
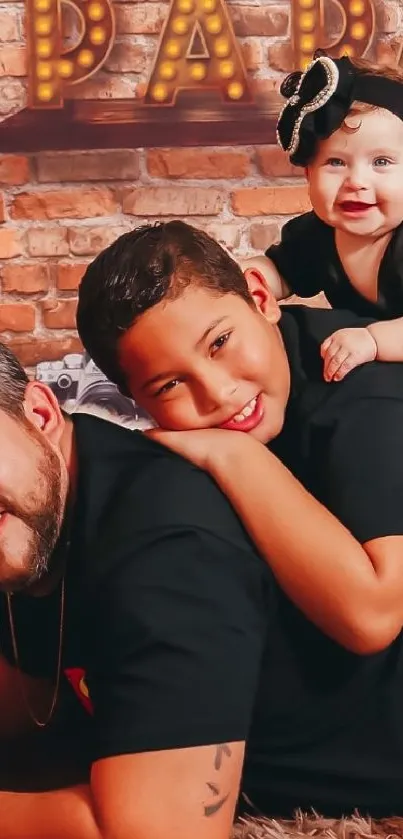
(308, 29)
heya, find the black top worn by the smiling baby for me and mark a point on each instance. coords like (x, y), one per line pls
(307, 259)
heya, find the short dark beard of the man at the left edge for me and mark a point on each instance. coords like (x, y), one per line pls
(42, 517)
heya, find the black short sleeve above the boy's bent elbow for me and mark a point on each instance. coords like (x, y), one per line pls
(362, 468)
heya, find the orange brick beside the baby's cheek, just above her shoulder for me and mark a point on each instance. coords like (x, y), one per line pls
(276, 200)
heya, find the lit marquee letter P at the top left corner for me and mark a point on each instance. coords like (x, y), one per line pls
(51, 67)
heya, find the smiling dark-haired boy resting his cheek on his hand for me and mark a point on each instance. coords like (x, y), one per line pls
(169, 317)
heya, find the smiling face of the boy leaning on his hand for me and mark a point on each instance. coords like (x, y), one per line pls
(206, 360)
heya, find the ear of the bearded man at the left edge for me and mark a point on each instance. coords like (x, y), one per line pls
(43, 411)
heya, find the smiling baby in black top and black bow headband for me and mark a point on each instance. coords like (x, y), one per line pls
(343, 123)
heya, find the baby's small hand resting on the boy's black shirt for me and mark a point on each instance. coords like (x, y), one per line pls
(344, 350)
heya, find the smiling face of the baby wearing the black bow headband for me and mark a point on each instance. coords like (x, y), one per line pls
(356, 179)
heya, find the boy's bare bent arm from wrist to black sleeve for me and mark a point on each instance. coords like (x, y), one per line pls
(353, 592)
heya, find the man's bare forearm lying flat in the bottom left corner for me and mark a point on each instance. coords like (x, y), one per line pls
(64, 814)
